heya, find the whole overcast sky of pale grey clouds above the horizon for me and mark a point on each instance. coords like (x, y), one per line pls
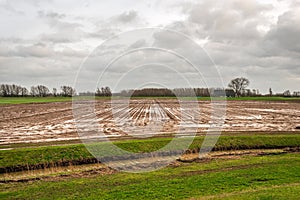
(46, 42)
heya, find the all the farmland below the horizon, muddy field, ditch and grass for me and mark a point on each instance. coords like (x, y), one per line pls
(256, 156)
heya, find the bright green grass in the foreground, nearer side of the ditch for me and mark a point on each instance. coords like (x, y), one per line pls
(258, 177)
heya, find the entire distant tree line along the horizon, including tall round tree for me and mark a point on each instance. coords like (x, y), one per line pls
(237, 87)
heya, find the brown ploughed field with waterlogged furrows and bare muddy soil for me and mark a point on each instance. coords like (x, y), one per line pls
(55, 121)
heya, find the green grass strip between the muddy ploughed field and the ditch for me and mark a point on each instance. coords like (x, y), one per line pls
(45, 157)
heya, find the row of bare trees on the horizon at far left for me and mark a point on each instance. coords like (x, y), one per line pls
(7, 90)
